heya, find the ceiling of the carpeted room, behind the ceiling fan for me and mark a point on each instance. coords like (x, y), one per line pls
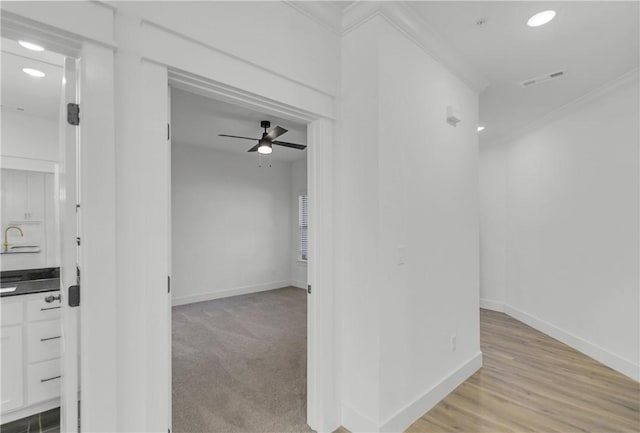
(197, 121)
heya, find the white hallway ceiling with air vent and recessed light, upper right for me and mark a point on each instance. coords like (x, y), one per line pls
(594, 42)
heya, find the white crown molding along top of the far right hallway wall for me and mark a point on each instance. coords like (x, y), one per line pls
(582, 101)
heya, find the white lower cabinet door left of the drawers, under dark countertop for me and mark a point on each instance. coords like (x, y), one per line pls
(12, 368)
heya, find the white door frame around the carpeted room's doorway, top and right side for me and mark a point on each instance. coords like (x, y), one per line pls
(322, 401)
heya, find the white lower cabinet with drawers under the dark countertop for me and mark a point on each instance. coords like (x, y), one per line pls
(31, 349)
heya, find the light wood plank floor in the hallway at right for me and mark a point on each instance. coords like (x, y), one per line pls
(533, 383)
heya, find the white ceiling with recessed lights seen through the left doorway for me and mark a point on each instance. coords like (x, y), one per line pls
(31, 95)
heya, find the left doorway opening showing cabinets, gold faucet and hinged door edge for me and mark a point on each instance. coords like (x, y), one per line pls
(39, 252)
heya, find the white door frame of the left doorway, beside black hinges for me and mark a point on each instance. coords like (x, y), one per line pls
(97, 375)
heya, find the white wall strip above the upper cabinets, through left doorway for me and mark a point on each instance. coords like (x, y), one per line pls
(26, 136)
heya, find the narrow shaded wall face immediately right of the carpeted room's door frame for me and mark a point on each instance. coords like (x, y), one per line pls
(356, 186)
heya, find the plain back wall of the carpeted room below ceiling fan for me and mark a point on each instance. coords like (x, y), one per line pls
(231, 224)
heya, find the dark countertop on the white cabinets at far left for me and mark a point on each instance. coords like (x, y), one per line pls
(30, 281)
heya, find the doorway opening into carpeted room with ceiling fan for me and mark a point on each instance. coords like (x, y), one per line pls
(239, 251)
